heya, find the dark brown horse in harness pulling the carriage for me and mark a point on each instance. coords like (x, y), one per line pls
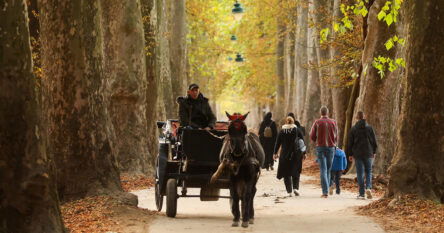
(243, 155)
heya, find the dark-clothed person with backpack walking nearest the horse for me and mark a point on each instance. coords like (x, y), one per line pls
(267, 137)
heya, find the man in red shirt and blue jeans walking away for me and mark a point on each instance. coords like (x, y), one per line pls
(324, 133)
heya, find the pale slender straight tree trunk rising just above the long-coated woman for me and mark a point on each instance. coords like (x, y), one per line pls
(301, 58)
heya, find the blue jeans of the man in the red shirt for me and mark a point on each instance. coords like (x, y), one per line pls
(325, 160)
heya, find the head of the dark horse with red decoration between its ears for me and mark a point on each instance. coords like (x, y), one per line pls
(237, 131)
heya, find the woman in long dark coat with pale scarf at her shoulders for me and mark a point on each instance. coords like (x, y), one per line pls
(288, 158)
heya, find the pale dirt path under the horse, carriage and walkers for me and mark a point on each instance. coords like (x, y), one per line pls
(274, 212)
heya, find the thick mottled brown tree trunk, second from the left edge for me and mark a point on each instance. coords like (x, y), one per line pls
(80, 131)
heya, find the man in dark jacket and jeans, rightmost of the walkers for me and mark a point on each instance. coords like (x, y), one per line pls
(362, 146)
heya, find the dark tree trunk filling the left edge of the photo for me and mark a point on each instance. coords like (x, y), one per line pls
(27, 185)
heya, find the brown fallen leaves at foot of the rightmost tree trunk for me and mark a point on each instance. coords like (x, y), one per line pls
(407, 214)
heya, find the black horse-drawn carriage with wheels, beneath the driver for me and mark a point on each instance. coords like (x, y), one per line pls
(187, 159)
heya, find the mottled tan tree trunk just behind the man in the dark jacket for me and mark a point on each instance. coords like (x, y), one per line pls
(379, 97)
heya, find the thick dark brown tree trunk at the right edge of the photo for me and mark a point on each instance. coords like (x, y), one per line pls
(419, 157)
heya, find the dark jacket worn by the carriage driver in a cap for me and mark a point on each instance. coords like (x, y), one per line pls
(195, 112)
